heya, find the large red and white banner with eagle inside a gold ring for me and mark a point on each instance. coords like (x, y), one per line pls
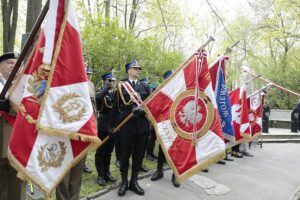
(188, 128)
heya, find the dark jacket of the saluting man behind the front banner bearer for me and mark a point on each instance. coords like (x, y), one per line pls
(104, 102)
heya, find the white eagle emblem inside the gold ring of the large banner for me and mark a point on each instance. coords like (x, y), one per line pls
(188, 113)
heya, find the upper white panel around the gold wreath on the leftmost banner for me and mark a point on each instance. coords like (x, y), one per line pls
(50, 118)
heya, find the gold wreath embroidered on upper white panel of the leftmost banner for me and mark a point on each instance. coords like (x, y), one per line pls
(69, 107)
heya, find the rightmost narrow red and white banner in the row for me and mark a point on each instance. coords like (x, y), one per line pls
(254, 103)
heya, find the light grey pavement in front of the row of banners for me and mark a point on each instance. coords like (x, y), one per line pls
(273, 173)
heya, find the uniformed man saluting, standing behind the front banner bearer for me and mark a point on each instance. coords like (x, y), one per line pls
(104, 102)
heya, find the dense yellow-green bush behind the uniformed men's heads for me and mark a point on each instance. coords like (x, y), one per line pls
(109, 48)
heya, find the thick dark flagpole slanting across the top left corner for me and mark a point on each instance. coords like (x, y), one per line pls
(25, 49)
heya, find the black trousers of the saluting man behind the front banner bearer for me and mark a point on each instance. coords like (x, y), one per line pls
(103, 154)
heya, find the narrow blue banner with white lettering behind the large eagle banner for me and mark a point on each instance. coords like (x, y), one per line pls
(217, 74)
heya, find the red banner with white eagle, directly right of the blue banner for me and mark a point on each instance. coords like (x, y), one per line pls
(240, 117)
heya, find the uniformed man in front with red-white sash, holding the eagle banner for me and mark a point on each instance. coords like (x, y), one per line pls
(133, 134)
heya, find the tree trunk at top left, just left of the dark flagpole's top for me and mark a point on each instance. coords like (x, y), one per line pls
(34, 8)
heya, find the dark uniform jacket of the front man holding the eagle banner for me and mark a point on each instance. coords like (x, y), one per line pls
(123, 106)
